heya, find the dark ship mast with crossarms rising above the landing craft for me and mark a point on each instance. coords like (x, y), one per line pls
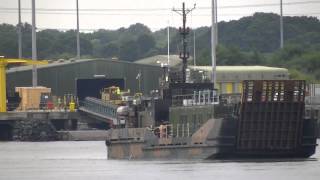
(184, 31)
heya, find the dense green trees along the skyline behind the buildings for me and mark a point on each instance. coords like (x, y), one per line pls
(252, 40)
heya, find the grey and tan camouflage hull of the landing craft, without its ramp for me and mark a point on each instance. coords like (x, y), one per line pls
(216, 139)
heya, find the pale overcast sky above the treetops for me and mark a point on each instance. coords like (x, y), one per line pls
(113, 14)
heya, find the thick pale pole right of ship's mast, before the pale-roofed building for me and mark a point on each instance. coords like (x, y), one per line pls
(213, 43)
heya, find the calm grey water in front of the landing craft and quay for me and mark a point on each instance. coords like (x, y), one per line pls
(87, 160)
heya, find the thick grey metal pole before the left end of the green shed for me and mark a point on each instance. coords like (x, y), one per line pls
(34, 45)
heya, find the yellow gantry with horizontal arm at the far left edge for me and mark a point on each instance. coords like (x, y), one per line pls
(3, 64)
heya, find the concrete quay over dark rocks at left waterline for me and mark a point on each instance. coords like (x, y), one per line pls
(36, 125)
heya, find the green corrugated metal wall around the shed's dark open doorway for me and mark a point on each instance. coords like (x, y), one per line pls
(61, 76)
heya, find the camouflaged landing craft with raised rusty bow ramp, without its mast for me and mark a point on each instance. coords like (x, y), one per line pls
(265, 121)
